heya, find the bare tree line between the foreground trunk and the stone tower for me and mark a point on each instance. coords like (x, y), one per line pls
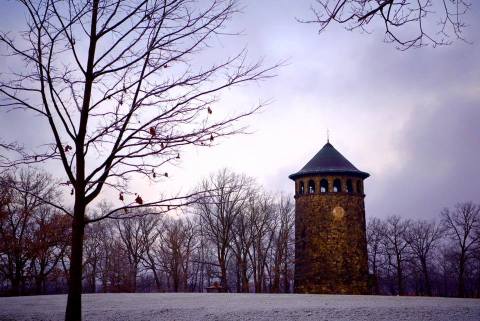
(235, 236)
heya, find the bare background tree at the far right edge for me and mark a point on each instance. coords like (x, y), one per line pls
(461, 225)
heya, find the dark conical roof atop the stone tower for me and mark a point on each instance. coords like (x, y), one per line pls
(329, 161)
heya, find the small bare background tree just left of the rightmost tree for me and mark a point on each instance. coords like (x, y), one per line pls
(423, 237)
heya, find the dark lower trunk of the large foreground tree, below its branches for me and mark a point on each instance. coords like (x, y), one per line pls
(74, 300)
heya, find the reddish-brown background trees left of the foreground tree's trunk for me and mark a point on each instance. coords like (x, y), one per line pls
(34, 239)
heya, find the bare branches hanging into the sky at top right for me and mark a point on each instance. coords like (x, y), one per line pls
(406, 23)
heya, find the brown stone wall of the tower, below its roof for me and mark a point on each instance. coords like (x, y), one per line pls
(330, 249)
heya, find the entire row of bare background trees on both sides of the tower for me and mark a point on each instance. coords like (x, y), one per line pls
(235, 235)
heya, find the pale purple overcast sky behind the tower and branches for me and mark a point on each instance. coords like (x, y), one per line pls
(410, 119)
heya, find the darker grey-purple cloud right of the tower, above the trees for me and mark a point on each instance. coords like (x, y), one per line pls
(440, 162)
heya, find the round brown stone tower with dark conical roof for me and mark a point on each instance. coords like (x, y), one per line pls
(330, 237)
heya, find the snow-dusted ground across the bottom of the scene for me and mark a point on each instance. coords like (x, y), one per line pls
(222, 307)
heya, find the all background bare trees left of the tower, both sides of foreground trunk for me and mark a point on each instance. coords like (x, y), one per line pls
(235, 235)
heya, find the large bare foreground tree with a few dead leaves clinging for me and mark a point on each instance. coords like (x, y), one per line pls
(119, 86)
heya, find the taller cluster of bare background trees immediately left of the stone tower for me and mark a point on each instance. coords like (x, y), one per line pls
(249, 234)
